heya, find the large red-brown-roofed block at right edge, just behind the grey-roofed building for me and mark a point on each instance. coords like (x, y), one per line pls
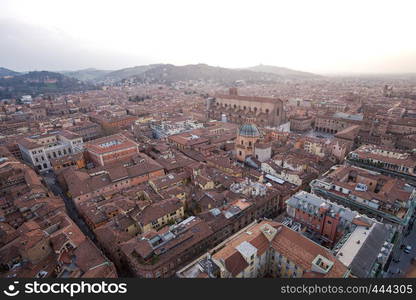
(371, 193)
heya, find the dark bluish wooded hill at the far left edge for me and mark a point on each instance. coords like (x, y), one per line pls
(40, 82)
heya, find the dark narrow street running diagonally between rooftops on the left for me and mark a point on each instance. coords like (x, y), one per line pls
(50, 181)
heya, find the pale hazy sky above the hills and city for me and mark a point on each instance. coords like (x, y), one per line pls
(310, 35)
